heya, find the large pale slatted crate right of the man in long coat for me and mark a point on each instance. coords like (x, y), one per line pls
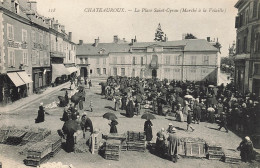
(195, 149)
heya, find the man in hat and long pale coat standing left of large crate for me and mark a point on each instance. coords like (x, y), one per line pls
(174, 142)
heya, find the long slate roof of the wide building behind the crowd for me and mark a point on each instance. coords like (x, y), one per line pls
(188, 44)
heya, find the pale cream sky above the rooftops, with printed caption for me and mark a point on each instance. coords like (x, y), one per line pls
(202, 18)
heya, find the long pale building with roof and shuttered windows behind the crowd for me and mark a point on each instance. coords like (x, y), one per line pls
(193, 60)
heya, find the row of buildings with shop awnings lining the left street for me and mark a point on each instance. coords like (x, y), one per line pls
(25, 60)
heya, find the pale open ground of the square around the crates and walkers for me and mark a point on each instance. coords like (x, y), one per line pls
(26, 116)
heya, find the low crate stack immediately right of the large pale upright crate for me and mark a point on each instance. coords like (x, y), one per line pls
(215, 152)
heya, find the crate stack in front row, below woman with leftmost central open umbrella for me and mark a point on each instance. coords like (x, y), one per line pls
(112, 149)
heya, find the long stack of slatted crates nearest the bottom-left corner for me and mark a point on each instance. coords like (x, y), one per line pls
(38, 153)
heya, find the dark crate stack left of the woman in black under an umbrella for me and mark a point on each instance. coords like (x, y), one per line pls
(136, 141)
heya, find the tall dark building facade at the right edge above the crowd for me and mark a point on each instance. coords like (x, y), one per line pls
(247, 57)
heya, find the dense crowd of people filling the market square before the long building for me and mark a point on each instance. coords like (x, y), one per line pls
(204, 101)
